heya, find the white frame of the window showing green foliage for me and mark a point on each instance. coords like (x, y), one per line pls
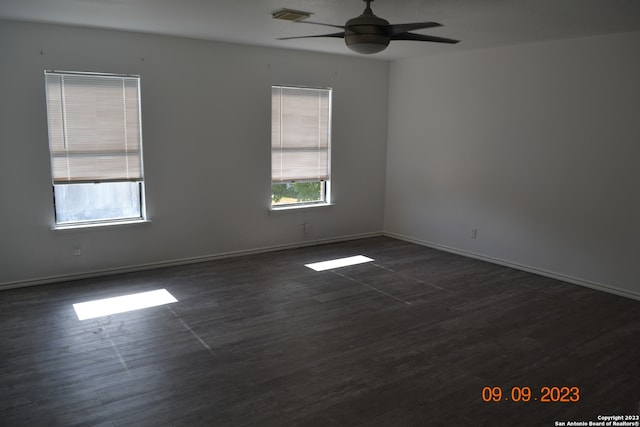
(325, 191)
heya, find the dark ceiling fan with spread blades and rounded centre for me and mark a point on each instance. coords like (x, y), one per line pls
(368, 33)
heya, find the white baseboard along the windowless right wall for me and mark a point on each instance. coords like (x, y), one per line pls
(529, 269)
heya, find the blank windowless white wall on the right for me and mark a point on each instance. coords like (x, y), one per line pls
(536, 146)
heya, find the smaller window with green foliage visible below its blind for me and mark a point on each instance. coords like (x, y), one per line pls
(300, 146)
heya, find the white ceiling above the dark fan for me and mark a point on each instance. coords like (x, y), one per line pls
(477, 23)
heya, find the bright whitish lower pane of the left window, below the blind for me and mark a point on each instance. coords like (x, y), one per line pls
(97, 202)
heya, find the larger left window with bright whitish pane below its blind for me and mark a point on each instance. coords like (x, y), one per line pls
(95, 145)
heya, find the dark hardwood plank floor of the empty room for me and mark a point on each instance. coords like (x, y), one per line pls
(408, 340)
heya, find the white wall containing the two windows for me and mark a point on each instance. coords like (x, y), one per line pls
(206, 135)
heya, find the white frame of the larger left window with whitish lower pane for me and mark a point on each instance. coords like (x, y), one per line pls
(138, 179)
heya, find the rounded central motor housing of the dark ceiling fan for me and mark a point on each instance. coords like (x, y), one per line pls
(367, 33)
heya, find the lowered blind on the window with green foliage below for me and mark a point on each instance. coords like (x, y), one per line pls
(300, 134)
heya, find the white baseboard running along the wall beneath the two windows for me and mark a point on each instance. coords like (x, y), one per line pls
(182, 261)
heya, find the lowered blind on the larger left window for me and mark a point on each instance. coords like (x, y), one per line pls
(94, 127)
